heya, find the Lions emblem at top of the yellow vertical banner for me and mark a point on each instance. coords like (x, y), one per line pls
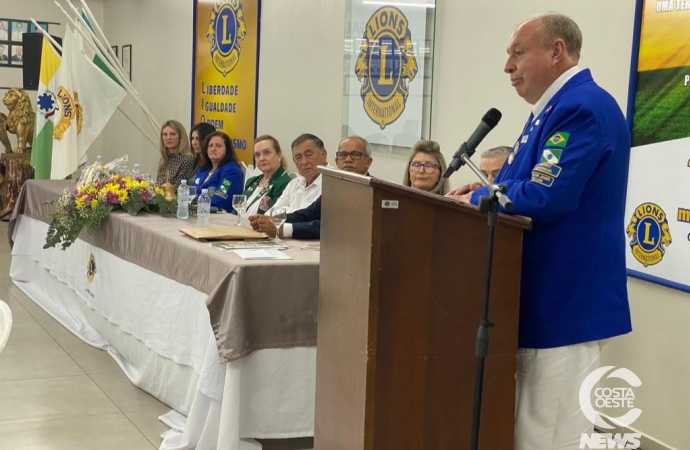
(226, 31)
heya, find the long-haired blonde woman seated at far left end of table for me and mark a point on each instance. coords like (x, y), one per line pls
(177, 160)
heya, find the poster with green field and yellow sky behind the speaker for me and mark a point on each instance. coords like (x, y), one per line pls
(658, 205)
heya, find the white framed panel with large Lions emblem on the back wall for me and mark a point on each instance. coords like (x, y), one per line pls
(386, 74)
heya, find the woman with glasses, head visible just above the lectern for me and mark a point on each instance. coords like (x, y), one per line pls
(425, 168)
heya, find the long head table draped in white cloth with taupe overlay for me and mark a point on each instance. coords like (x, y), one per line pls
(208, 318)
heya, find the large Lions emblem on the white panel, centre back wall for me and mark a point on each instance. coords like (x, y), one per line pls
(386, 65)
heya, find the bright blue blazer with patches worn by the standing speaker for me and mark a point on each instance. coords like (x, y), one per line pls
(568, 172)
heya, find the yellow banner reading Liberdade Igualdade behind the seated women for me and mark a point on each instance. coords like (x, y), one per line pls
(226, 57)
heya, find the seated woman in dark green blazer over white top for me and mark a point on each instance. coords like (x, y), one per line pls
(263, 190)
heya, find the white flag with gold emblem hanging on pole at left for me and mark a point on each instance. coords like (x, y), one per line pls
(87, 98)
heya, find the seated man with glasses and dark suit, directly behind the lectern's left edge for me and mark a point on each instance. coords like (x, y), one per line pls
(353, 155)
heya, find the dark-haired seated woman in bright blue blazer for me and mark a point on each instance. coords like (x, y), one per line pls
(220, 172)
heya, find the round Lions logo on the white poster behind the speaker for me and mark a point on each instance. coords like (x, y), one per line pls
(649, 234)
